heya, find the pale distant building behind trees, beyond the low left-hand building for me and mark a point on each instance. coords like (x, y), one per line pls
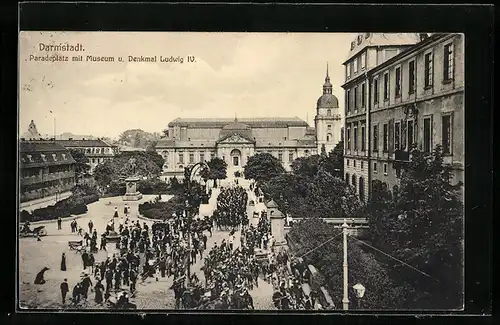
(96, 150)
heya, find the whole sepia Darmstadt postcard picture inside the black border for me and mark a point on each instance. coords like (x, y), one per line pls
(240, 171)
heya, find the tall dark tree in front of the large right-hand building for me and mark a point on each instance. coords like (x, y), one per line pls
(423, 226)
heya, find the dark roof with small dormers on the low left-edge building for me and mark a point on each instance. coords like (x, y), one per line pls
(42, 154)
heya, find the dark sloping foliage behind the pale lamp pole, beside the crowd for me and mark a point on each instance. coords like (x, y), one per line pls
(381, 292)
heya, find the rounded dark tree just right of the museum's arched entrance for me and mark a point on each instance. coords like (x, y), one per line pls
(262, 167)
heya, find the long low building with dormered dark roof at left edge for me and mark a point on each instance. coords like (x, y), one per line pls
(45, 169)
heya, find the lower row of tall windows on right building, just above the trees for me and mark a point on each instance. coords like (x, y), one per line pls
(403, 135)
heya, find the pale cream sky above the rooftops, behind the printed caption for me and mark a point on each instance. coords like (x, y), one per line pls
(234, 74)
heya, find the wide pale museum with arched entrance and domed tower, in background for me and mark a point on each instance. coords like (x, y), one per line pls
(190, 140)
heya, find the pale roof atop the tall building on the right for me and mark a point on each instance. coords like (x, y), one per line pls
(381, 39)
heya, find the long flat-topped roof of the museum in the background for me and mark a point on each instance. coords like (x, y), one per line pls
(259, 122)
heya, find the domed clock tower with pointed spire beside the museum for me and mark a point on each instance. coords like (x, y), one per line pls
(327, 120)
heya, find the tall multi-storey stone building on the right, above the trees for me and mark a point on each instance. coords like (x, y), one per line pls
(411, 95)
